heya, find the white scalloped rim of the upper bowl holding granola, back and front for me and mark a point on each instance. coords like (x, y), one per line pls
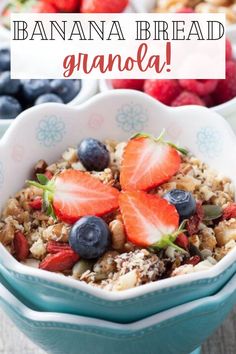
(14, 266)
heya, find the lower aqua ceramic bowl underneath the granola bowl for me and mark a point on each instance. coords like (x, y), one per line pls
(176, 331)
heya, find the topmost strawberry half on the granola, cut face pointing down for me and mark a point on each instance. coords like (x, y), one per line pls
(148, 162)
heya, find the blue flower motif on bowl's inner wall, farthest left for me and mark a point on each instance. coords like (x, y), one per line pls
(50, 131)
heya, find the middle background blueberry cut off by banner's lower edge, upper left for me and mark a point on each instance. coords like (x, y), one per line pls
(32, 89)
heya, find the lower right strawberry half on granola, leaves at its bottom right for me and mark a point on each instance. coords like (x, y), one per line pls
(148, 219)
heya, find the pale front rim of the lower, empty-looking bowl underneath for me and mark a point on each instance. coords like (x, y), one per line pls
(210, 302)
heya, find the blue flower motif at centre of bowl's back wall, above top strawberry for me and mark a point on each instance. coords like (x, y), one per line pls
(132, 118)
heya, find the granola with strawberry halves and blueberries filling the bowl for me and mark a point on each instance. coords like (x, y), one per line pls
(117, 215)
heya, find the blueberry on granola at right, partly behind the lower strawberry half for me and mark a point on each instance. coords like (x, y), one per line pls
(183, 201)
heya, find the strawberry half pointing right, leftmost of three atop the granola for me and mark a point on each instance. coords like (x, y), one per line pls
(73, 194)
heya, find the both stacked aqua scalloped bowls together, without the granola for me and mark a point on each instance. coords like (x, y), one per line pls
(60, 314)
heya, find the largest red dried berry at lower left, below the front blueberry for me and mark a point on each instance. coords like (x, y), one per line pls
(60, 261)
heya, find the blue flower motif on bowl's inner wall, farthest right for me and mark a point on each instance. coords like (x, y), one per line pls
(209, 141)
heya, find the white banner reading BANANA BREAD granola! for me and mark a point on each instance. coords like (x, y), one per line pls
(180, 46)
